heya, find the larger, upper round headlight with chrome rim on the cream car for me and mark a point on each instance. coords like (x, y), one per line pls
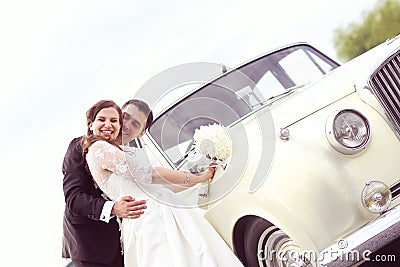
(348, 131)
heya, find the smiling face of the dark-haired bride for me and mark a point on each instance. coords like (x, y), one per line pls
(106, 124)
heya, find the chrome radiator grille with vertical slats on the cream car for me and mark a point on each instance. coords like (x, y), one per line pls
(385, 84)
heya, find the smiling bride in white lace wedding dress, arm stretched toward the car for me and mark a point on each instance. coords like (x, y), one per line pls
(165, 235)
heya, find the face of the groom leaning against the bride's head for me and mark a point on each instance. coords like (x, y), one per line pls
(134, 123)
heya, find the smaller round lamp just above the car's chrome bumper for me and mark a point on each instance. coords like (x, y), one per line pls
(376, 196)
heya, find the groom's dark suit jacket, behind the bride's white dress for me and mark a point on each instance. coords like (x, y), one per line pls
(85, 237)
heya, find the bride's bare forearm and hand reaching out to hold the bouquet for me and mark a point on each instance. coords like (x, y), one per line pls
(162, 175)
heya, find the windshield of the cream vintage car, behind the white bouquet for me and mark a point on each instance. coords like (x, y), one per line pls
(235, 94)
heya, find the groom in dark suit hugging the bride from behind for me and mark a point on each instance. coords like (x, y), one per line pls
(91, 236)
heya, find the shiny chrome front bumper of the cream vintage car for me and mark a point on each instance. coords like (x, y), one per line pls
(359, 245)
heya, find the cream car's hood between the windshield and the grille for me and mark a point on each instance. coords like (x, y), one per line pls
(334, 86)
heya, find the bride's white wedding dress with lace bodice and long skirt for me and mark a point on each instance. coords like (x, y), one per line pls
(166, 234)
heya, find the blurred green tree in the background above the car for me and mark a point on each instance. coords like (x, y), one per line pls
(380, 24)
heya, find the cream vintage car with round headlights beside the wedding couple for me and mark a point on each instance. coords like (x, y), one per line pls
(314, 174)
